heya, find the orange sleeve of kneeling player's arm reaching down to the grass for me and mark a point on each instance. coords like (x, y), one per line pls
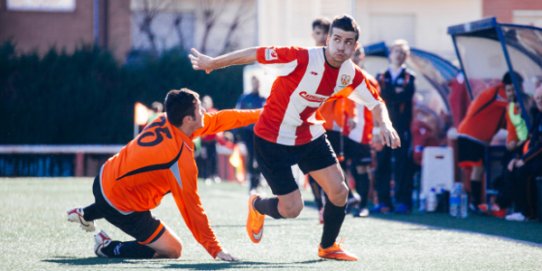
(189, 204)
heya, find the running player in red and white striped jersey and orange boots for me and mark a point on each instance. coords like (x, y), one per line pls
(289, 132)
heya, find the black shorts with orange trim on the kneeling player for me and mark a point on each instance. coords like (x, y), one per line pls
(140, 225)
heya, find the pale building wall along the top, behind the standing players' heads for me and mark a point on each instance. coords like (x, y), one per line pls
(423, 22)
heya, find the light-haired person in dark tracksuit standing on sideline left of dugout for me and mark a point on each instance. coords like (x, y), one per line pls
(397, 89)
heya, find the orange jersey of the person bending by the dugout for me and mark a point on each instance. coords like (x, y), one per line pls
(486, 115)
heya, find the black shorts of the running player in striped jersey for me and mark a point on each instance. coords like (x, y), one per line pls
(275, 161)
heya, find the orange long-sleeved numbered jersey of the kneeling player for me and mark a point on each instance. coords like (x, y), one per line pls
(160, 160)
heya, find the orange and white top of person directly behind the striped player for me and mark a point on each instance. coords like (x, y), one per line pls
(337, 113)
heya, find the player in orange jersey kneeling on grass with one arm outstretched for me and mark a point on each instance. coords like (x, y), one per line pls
(160, 160)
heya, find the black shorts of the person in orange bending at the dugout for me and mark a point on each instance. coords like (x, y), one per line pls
(469, 152)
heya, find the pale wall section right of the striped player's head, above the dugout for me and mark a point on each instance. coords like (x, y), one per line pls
(423, 23)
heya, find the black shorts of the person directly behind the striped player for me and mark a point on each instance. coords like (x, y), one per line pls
(358, 153)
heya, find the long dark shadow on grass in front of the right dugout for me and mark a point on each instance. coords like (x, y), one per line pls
(530, 232)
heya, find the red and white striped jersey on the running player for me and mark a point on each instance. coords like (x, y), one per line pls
(306, 81)
